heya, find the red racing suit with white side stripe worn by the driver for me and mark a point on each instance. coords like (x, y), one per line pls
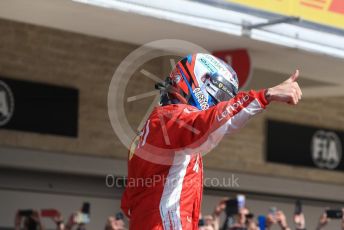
(165, 172)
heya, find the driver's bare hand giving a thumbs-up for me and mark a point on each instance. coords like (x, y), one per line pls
(287, 92)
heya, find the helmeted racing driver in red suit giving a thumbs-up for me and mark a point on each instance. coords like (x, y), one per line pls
(200, 103)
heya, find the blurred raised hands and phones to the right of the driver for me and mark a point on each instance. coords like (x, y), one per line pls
(243, 219)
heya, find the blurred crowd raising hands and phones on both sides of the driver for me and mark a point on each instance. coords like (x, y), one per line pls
(238, 217)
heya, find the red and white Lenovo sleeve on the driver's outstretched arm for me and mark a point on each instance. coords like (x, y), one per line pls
(185, 128)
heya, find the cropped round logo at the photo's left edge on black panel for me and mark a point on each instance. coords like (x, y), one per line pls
(6, 103)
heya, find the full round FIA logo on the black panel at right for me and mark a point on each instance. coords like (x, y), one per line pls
(326, 149)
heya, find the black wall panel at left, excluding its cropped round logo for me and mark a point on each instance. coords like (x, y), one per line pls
(43, 108)
